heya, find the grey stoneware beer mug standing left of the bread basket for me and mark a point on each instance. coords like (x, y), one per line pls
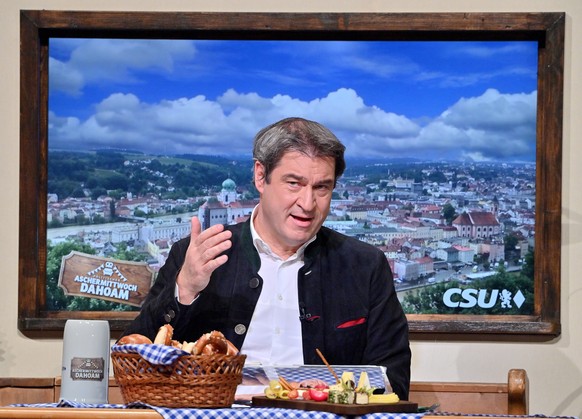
(85, 369)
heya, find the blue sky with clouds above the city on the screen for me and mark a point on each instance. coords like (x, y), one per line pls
(460, 101)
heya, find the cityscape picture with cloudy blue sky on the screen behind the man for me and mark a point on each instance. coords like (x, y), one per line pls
(440, 148)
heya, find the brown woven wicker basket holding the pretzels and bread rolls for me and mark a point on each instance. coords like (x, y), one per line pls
(192, 381)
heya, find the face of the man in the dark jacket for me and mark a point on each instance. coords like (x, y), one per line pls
(295, 203)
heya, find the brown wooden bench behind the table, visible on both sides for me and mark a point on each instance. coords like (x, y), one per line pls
(469, 398)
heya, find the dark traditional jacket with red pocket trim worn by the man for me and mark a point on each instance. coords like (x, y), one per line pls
(348, 304)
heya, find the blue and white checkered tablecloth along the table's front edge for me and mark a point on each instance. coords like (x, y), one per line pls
(226, 413)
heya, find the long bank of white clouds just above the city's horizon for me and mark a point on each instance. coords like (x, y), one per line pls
(489, 126)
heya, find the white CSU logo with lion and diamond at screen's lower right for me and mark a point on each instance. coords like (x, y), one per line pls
(470, 297)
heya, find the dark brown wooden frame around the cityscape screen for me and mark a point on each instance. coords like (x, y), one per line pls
(37, 26)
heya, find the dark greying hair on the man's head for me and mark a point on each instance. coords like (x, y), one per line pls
(297, 134)
